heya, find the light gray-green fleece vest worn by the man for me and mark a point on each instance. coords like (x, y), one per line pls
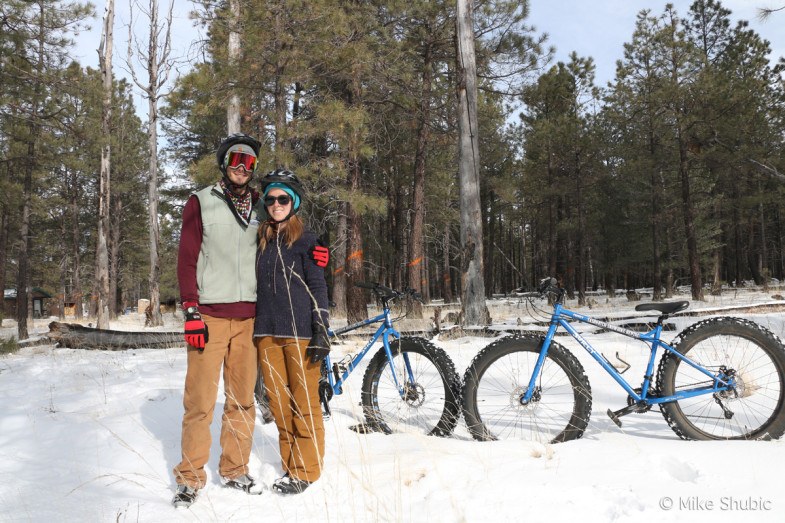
(225, 270)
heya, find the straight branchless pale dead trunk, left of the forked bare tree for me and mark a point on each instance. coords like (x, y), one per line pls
(102, 250)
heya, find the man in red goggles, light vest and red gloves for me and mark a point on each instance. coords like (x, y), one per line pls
(216, 274)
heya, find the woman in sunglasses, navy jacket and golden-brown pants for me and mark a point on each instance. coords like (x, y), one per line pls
(290, 332)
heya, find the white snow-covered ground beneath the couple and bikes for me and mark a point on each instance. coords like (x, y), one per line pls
(93, 436)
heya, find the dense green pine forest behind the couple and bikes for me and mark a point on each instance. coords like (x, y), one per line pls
(672, 173)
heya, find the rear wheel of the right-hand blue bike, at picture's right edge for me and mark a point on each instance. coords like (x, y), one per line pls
(756, 358)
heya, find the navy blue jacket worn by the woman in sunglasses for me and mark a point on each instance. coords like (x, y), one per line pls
(291, 292)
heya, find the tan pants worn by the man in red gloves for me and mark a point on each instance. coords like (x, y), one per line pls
(230, 346)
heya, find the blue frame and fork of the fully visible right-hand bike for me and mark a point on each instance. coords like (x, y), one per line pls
(561, 317)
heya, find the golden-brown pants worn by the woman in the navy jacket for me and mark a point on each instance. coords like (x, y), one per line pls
(292, 383)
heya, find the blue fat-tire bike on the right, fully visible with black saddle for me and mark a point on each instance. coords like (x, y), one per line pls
(722, 378)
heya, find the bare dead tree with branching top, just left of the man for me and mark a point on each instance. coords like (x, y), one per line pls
(159, 65)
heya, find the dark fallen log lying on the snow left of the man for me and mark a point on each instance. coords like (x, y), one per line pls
(75, 336)
